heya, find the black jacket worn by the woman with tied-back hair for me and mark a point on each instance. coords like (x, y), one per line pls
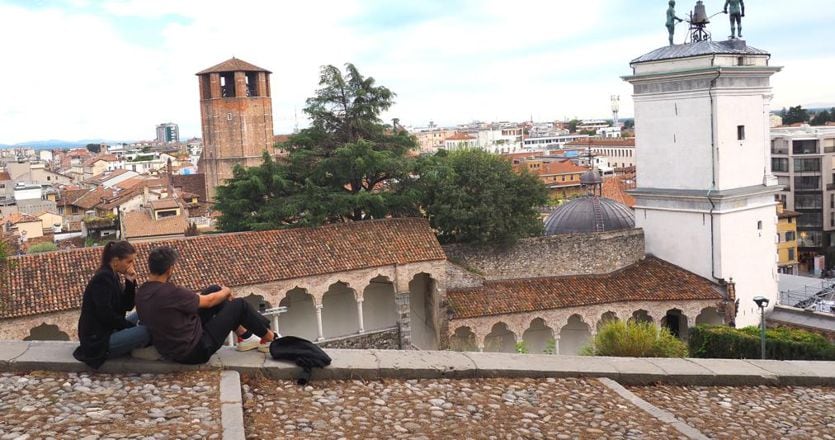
(103, 309)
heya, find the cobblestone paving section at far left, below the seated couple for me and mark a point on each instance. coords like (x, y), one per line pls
(42, 405)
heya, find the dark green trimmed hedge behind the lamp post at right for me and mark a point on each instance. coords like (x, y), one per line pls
(780, 343)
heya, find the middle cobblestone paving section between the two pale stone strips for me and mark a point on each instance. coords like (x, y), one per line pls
(444, 409)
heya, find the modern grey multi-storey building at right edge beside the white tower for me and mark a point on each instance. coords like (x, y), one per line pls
(802, 160)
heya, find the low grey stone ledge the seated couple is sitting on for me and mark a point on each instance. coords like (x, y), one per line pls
(395, 364)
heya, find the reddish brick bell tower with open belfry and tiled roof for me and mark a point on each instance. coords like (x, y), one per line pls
(237, 118)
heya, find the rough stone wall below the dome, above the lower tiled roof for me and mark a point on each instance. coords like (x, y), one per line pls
(556, 255)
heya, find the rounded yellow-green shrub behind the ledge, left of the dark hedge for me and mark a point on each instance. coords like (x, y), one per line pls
(635, 339)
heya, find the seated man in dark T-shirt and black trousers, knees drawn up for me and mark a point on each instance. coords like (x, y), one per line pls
(173, 314)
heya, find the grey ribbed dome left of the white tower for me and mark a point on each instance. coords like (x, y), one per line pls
(589, 214)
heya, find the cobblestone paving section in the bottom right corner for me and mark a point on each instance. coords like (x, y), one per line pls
(749, 412)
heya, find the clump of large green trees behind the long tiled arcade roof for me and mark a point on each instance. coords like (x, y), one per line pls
(350, 166)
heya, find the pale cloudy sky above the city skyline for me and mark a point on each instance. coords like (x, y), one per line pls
(114, 69)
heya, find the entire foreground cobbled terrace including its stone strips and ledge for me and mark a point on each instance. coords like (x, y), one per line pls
(422, 394)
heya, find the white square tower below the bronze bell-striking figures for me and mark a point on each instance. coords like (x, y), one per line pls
(705, 193)
